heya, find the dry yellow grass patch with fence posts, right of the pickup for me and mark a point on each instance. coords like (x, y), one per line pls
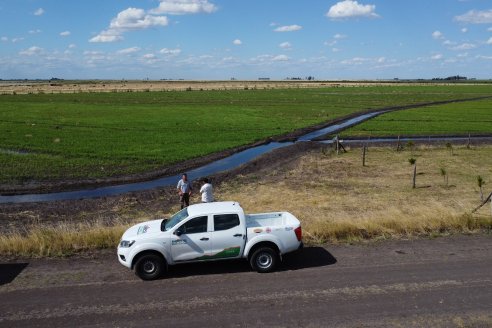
(337, 199)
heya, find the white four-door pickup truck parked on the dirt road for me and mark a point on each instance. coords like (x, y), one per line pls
(209, 231)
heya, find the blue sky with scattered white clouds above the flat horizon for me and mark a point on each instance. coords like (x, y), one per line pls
(245, 39)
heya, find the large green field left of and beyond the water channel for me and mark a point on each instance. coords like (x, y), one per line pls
(95, 135)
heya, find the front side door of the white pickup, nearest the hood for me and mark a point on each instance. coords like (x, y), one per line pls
(193, 243)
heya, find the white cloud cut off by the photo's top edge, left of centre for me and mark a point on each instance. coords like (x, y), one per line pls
(182, 7)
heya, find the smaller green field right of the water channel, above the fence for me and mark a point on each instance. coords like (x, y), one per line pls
(459, 118)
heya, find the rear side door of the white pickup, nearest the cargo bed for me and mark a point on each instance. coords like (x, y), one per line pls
(228, 236)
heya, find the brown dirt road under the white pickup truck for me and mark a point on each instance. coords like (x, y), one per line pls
(443, 282)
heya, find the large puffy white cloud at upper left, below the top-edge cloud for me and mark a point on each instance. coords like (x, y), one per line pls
(128, 20)
